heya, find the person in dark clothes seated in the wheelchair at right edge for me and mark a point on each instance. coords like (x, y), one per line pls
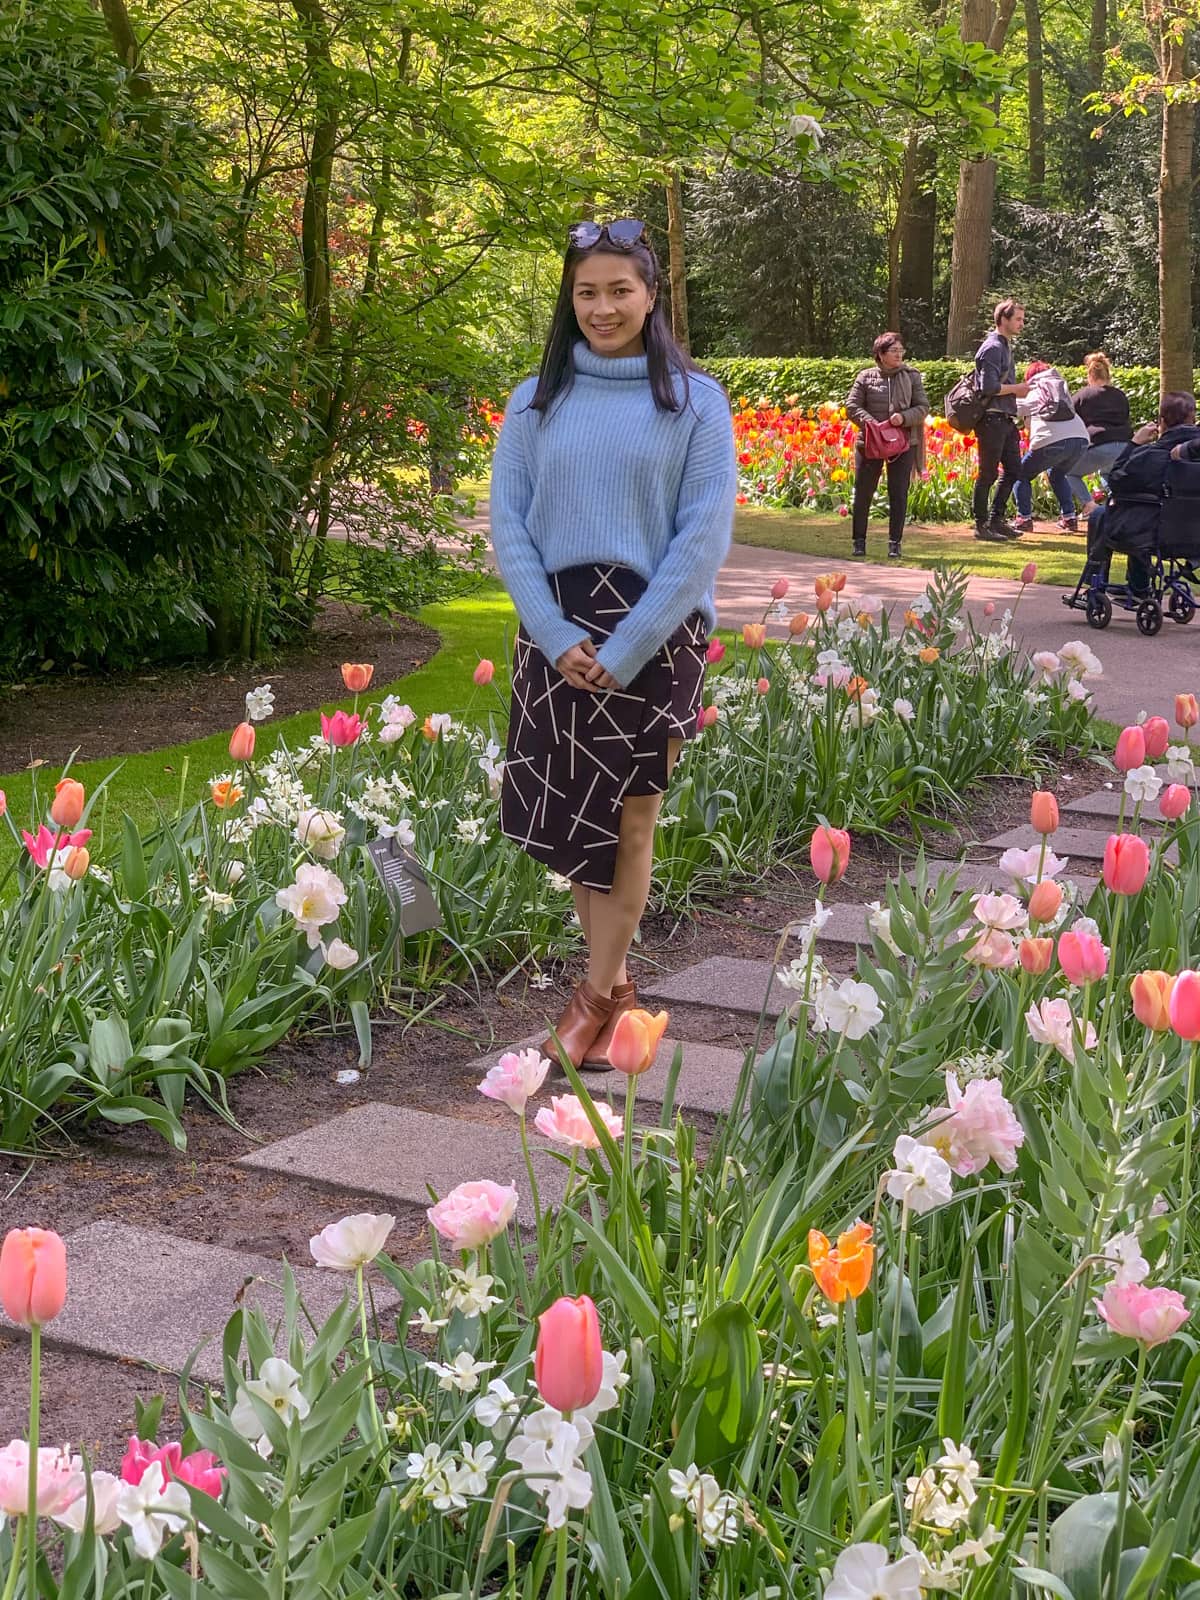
(1130, 521)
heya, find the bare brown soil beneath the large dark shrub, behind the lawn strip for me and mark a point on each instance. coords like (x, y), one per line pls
(129, 713)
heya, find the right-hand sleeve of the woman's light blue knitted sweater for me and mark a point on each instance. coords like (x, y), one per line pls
(698, 546)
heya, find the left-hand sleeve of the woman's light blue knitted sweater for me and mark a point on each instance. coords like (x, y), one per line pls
(518, 556)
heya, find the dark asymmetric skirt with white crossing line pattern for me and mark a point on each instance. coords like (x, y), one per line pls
(575, 754)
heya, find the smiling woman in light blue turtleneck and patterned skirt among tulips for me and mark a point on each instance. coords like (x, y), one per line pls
(612, 510)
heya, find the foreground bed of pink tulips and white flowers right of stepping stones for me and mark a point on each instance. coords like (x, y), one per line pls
(921, 1319)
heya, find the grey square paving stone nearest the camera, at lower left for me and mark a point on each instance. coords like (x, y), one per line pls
(143, 1295)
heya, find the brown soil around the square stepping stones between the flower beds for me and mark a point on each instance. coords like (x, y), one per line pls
(134, 1177)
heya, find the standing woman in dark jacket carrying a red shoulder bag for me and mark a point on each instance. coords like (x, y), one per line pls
(887, 393)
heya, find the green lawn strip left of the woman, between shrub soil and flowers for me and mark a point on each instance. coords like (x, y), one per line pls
(473, 626)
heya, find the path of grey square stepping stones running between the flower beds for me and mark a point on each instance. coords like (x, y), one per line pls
(150, 1297)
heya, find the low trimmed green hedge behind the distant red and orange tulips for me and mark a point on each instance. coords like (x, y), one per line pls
(806, 382)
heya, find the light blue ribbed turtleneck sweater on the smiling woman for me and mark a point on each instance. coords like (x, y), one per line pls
(609, 478)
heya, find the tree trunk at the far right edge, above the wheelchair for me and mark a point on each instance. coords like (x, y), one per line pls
(1175, 223)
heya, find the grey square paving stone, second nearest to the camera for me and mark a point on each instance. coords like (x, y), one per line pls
(402, 1154)
